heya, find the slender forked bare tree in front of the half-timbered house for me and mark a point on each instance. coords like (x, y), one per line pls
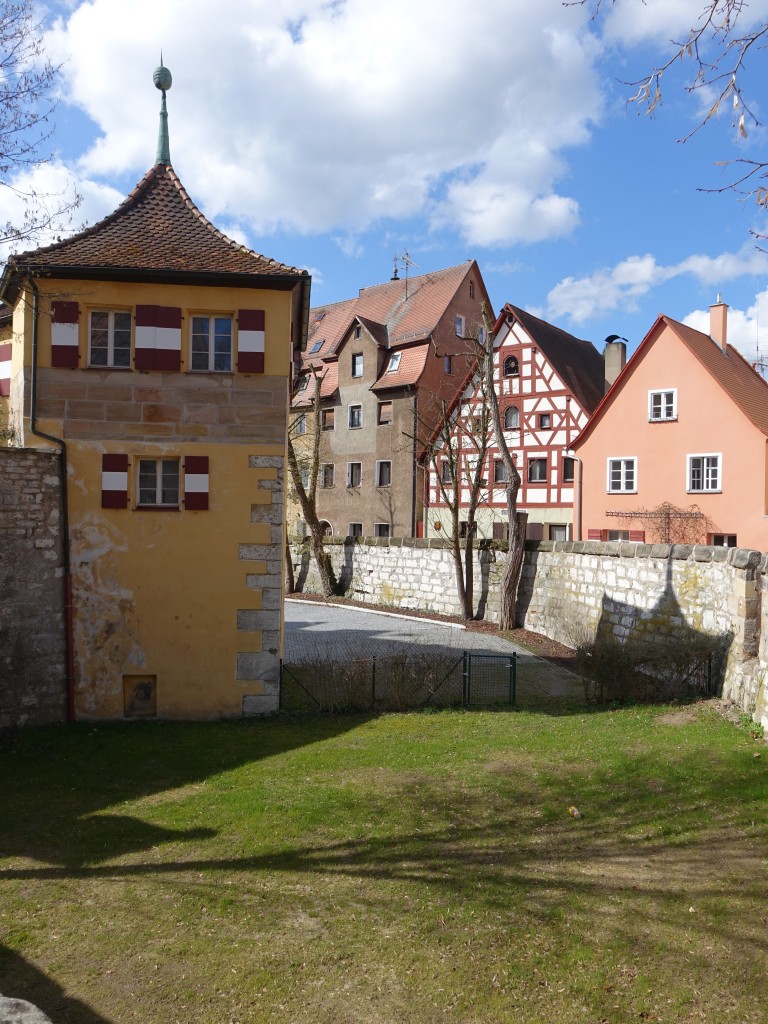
(458, 453)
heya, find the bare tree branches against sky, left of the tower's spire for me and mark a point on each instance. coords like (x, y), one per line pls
(27, 103)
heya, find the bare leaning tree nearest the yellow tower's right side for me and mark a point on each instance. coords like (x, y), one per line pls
(304, 464)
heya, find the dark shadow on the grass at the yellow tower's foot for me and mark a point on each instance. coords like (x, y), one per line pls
(58, 782)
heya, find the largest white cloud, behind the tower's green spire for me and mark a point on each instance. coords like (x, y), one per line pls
(317, 117)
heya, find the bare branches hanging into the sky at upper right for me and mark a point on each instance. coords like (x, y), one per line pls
(718, 48)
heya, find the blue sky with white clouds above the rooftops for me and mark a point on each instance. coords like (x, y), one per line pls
(340, 136)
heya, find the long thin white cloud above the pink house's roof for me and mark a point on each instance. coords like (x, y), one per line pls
(623, 286)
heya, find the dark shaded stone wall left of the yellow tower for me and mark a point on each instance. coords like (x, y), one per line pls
(32, 622)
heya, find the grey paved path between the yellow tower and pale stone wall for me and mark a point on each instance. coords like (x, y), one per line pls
(318, 632)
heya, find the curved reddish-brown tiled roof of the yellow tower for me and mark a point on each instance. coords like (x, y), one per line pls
(156, 229)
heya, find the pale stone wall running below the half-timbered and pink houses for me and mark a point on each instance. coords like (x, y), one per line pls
(570, 591)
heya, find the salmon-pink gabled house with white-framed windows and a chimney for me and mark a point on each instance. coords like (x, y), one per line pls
(677, 451)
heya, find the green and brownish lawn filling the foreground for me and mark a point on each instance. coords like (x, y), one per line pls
(418, 868)
